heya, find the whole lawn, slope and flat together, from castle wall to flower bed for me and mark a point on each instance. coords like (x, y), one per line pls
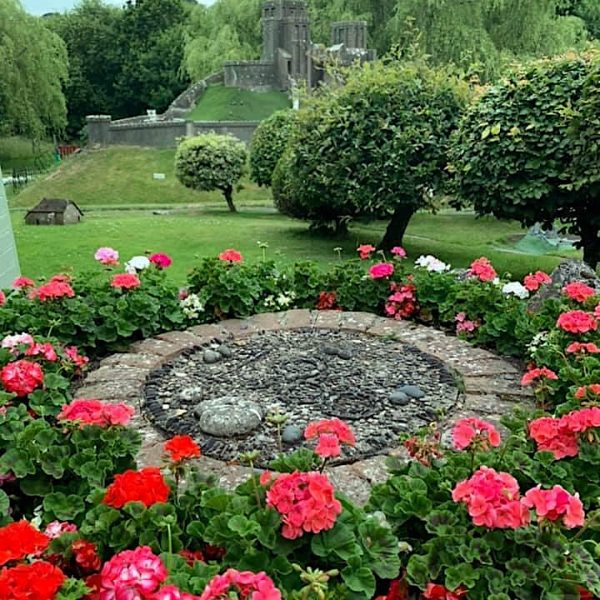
(197, 223)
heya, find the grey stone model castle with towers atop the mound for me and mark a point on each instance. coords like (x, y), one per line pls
(289, 56)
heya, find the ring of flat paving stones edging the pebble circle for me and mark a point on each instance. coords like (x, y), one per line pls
(491, 385)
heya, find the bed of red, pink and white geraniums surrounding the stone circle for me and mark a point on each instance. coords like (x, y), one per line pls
(495, 516)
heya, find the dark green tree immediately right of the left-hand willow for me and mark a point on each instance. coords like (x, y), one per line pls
(94, 60)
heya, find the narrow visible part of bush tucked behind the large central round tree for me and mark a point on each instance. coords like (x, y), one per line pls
(269, 143)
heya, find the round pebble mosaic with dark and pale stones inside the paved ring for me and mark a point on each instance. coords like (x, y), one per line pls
(296, 374)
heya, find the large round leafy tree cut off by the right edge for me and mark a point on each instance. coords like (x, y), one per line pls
(529, 148)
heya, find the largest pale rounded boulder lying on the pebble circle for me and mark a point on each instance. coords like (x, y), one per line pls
(228, 416)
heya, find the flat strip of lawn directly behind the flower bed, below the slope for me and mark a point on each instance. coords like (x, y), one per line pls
(188, 235)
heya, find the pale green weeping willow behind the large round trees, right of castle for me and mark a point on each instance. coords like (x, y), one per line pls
(482, 34)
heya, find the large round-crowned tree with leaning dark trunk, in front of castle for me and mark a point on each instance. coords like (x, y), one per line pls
(375, 147)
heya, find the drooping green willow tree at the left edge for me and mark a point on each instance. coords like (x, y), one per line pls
(33, 68)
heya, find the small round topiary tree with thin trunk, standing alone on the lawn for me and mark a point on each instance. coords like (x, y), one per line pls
(211, 162)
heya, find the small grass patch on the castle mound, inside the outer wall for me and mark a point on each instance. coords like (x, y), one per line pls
(230, 104)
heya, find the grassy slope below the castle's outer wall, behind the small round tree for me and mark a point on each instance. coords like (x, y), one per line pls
(123, 176)
